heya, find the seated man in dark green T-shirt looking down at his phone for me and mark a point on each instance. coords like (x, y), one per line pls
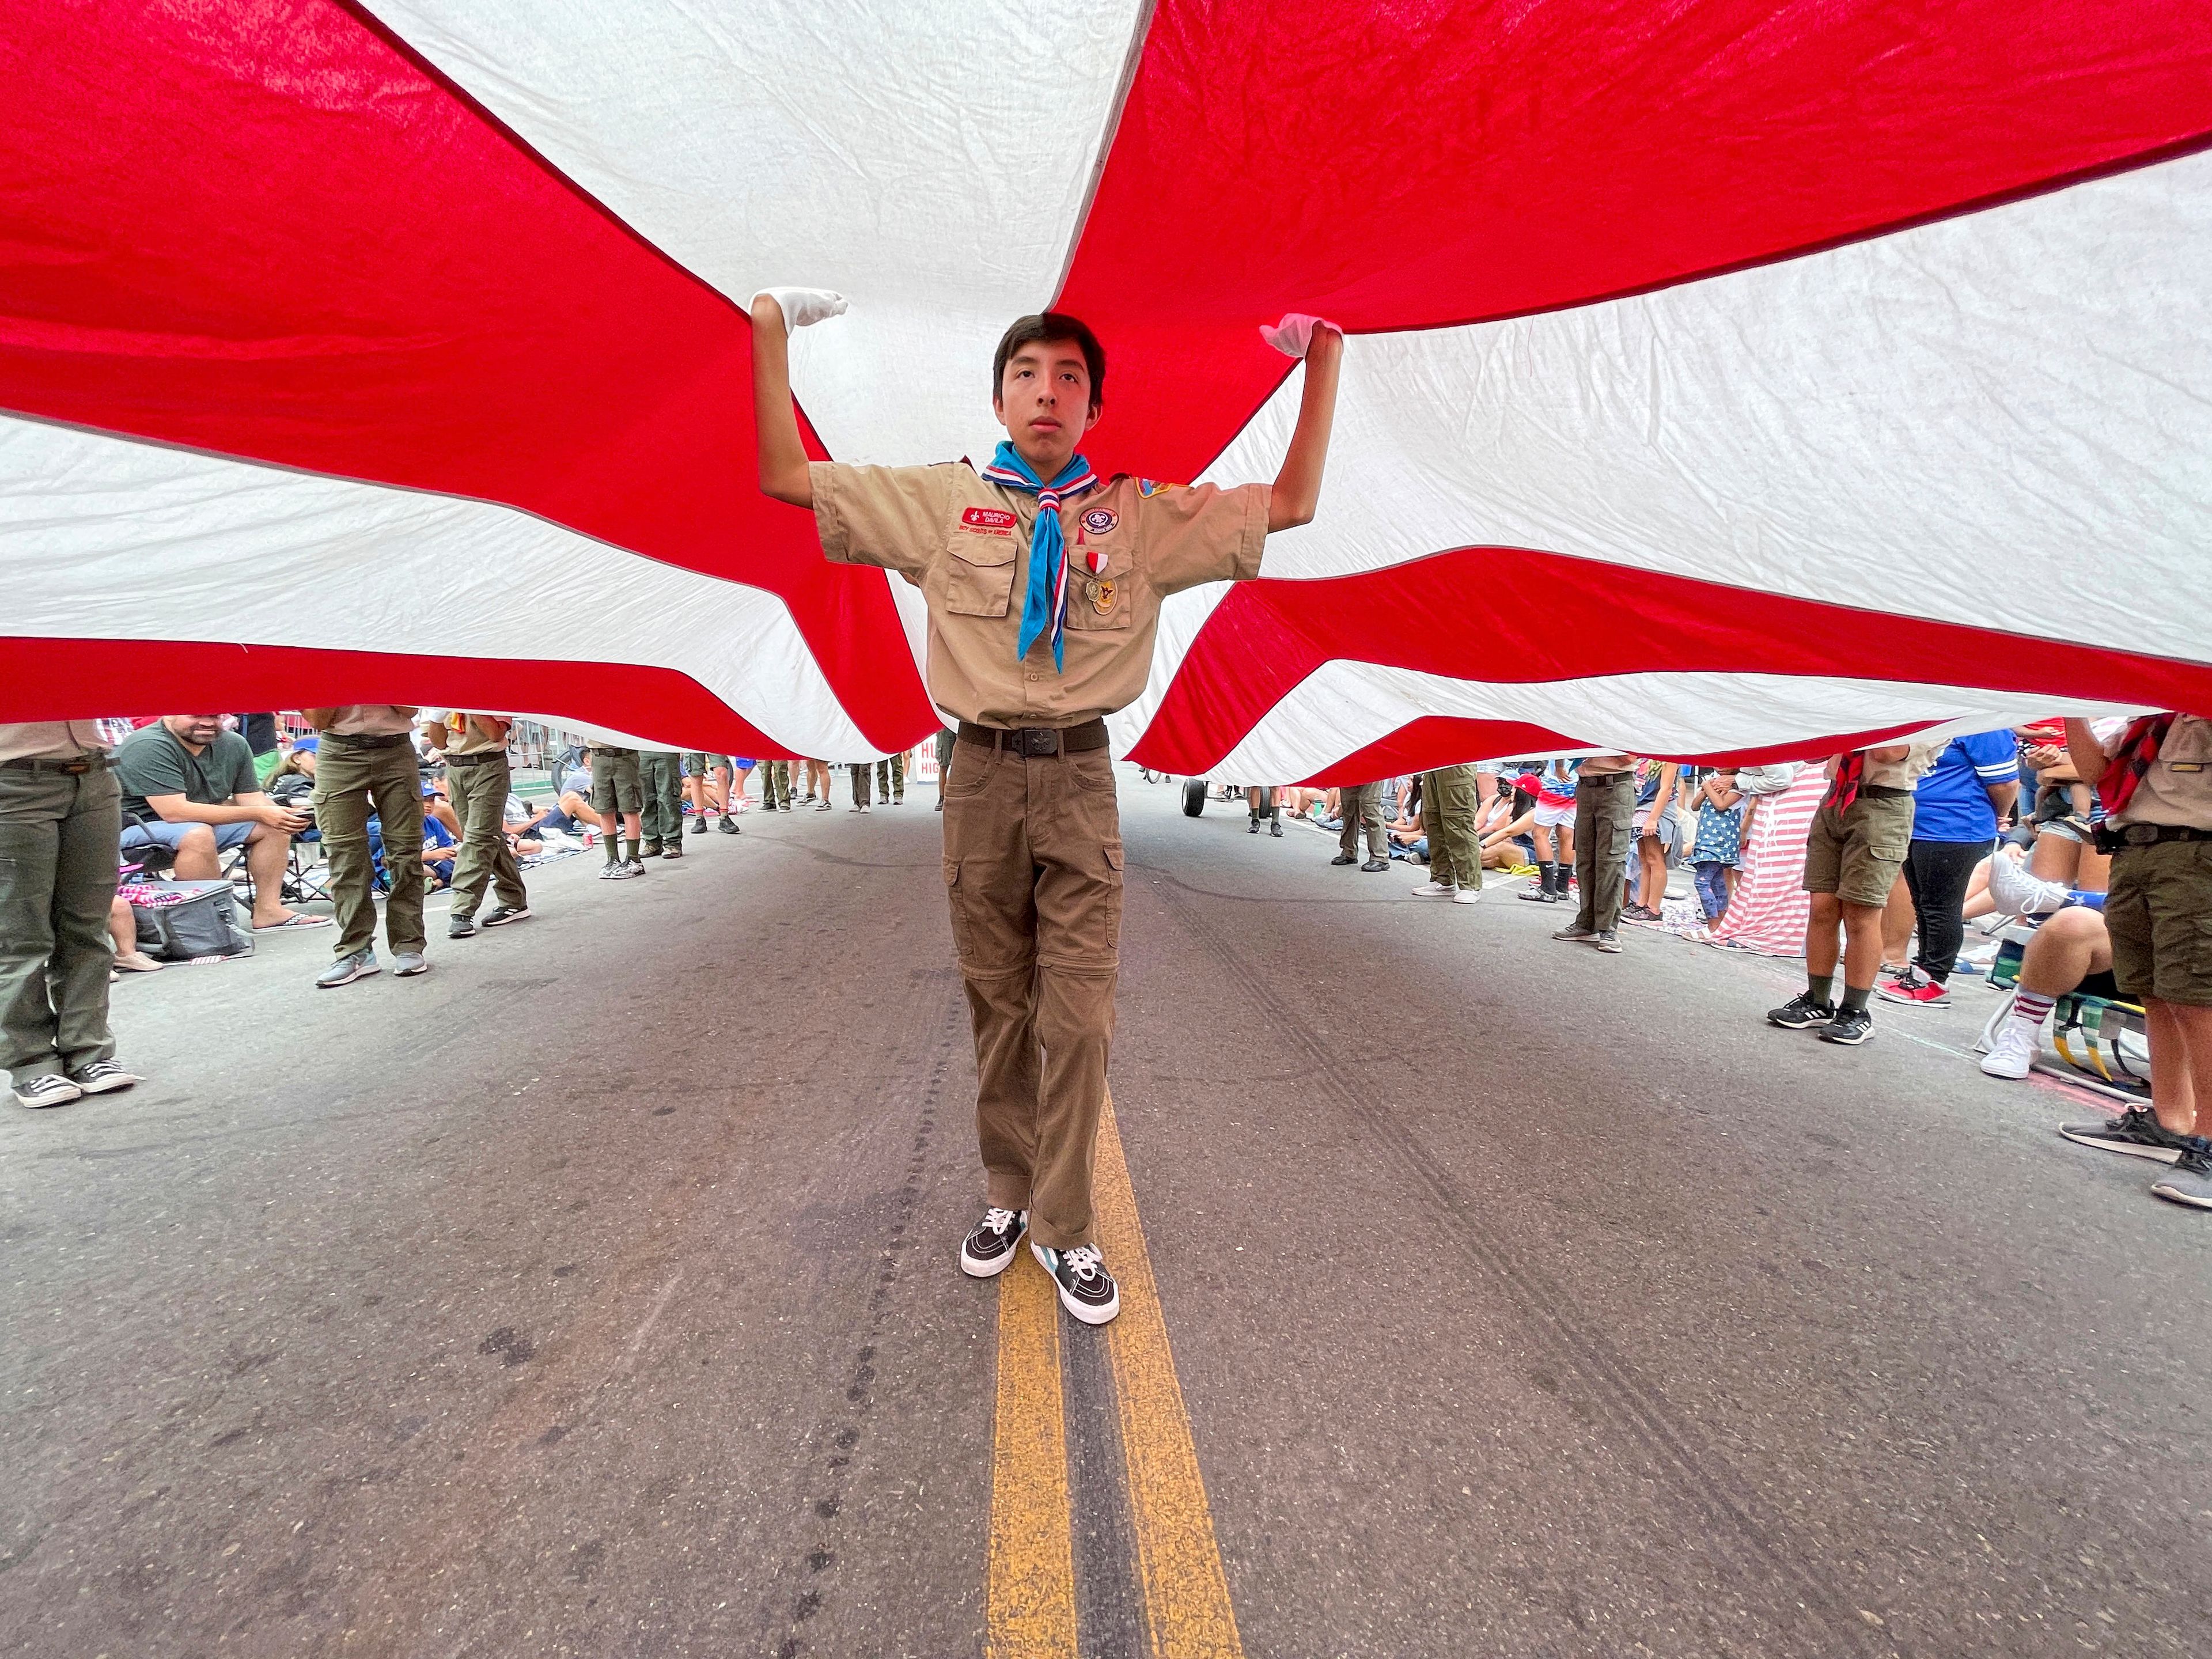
(189, 786)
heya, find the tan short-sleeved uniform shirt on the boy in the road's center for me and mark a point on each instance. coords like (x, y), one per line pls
(966, 545)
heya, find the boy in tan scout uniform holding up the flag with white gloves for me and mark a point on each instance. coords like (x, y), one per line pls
(1043, 587)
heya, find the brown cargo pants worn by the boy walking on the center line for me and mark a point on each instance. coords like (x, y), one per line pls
(1034, 877)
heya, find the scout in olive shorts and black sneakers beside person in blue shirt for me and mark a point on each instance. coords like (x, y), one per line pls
(1853, 859)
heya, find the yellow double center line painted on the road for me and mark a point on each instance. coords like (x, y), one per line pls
(1030, 1587)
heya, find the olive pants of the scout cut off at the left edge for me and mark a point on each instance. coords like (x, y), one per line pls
(56, 884)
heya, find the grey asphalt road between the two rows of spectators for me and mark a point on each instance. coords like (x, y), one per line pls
(596, 1295)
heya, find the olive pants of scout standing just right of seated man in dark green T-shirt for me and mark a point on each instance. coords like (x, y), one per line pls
(346, 780)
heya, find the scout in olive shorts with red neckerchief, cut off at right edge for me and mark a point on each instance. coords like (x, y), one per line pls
(2156, 782)
